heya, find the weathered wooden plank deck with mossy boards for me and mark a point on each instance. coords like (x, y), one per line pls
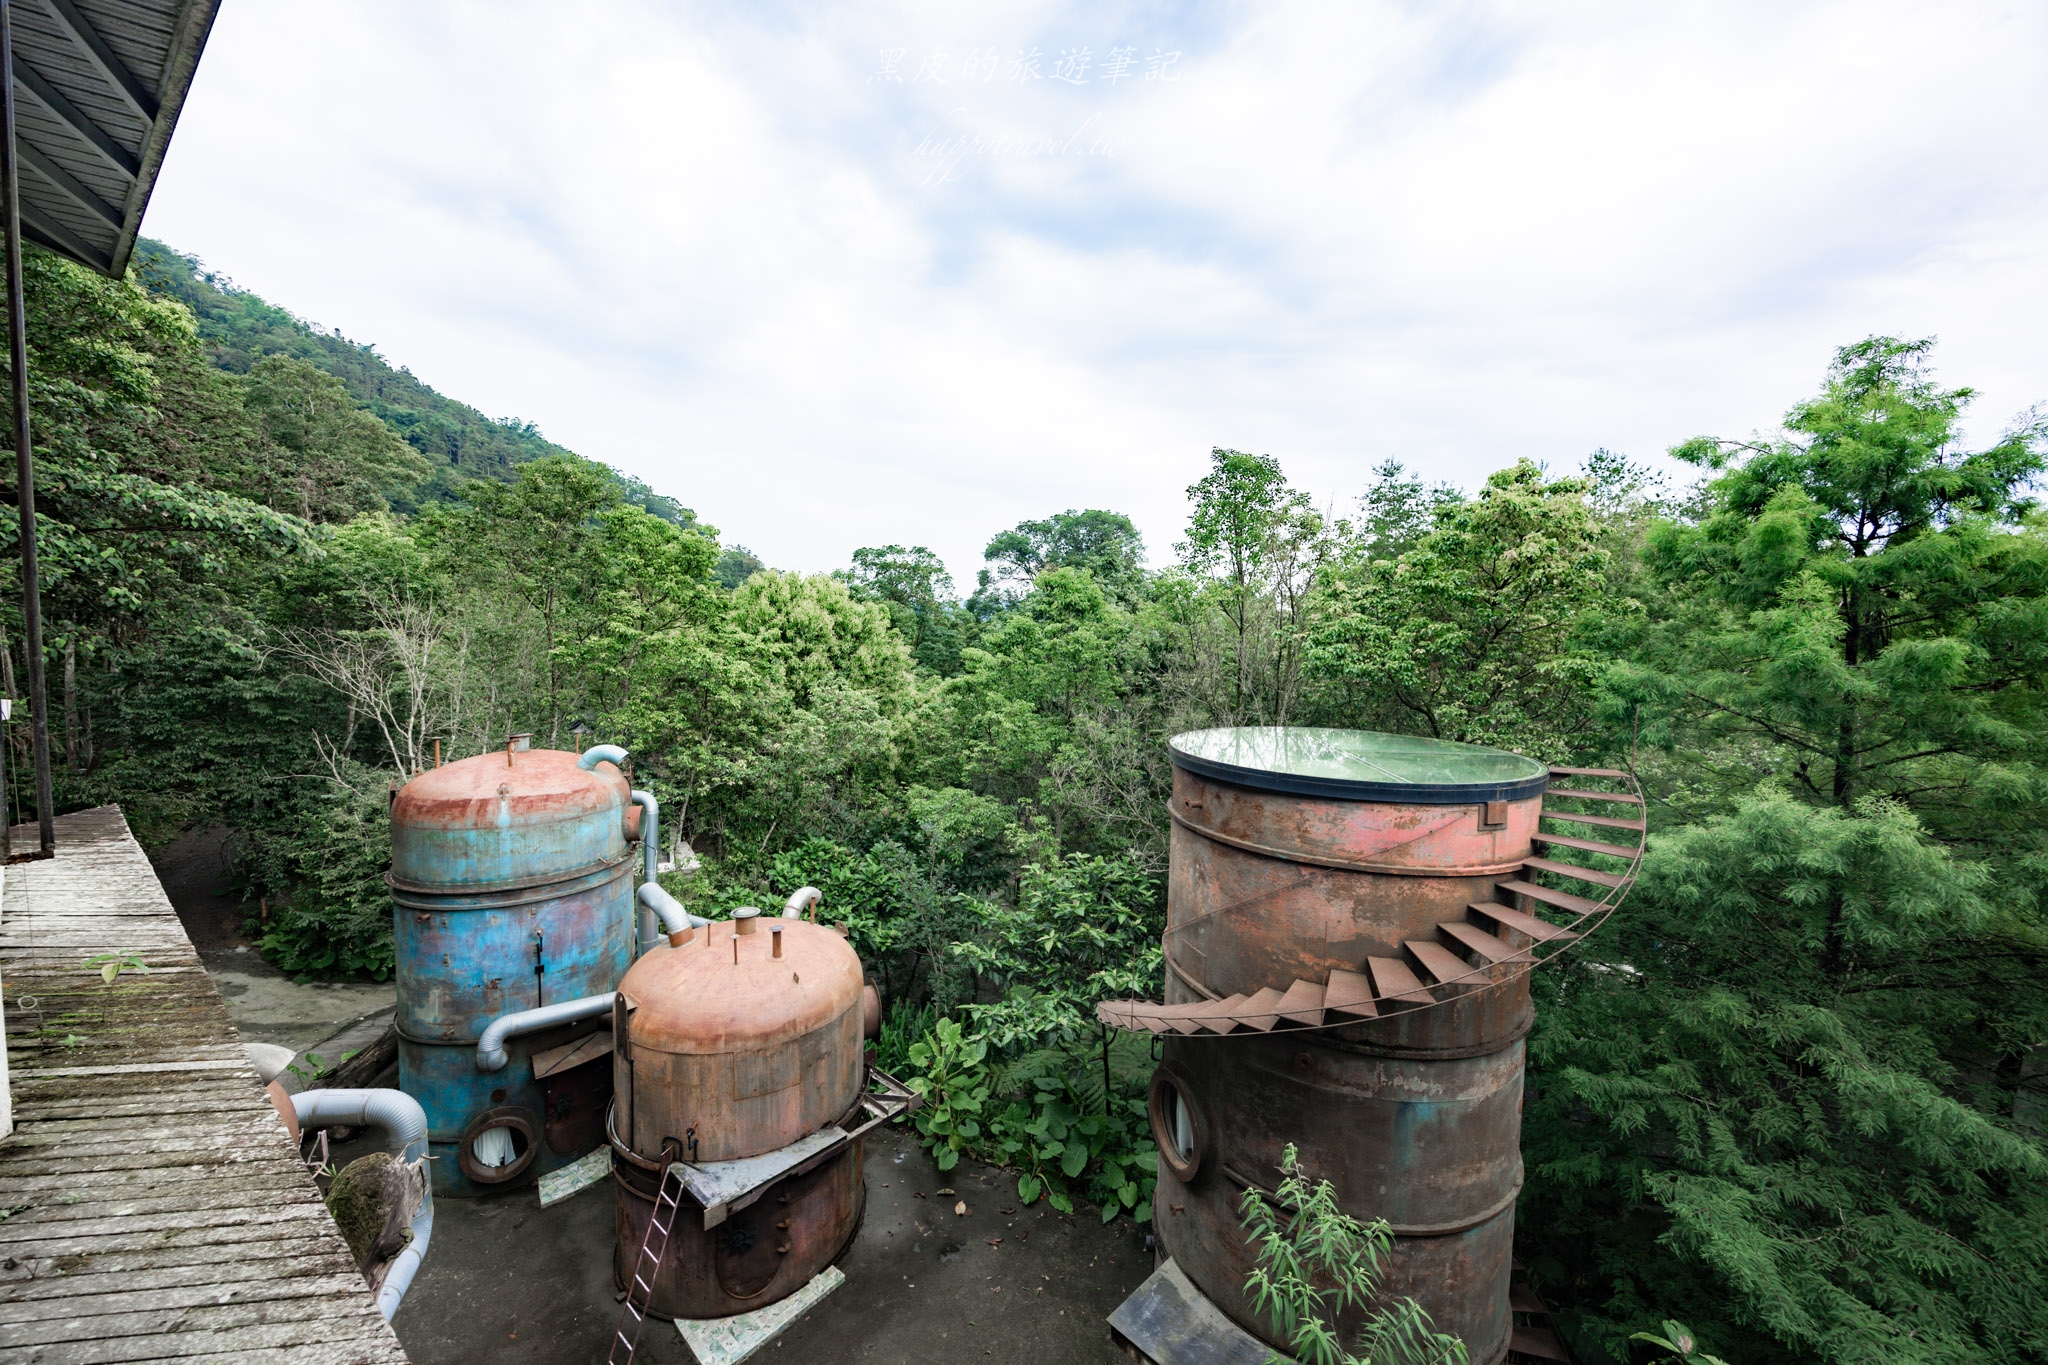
(151, 1204)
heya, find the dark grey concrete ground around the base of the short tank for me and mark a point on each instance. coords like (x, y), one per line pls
(515, 1284)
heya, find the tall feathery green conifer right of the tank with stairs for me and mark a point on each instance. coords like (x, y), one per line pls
(1795, 1100)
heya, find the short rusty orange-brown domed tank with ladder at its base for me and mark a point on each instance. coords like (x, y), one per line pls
(740, 1043)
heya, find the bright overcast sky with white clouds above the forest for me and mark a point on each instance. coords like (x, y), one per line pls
(863, 275)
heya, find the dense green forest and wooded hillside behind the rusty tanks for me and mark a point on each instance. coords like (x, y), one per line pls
(1795, 1094)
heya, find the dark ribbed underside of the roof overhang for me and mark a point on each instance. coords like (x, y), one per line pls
(97, 93)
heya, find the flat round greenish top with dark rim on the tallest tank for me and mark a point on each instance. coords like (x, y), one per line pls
(1359, 764)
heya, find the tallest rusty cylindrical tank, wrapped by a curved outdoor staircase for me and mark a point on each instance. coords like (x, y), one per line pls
(1299, 852)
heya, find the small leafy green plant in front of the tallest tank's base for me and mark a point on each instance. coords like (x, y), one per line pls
(1318, 1264)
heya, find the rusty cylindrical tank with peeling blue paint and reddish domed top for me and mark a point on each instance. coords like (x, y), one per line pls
(513, 887)
